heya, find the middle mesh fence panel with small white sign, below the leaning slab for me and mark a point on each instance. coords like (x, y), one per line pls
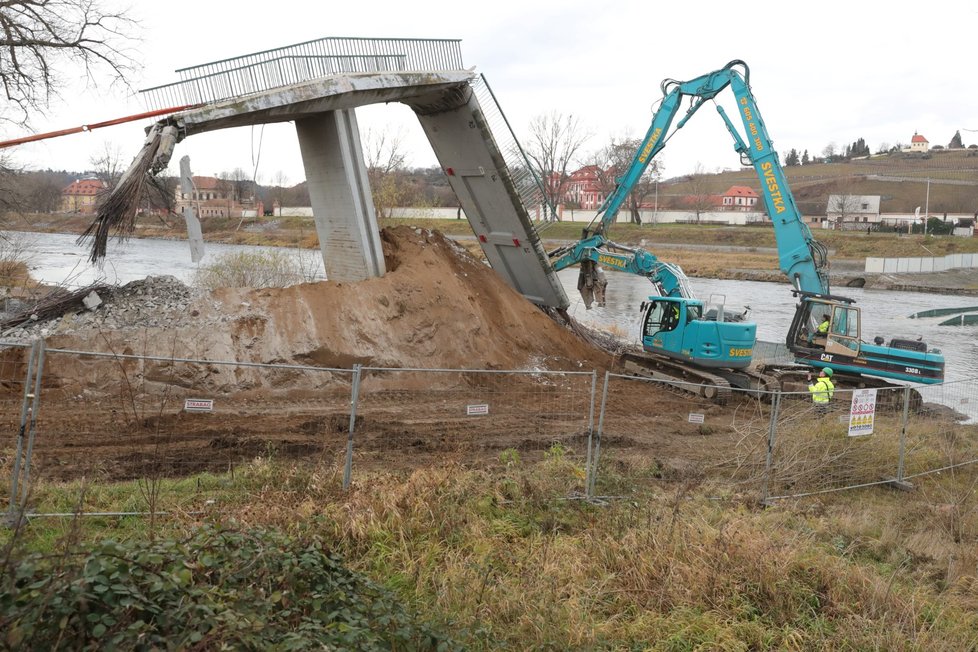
(407, 418)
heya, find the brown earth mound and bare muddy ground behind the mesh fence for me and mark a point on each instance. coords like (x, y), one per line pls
(122, 415)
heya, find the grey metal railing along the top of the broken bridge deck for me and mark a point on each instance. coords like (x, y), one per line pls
(302, 62)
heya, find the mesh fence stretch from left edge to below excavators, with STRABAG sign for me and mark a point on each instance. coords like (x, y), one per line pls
(146, 422)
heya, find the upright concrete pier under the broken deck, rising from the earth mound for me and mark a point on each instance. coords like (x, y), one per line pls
(339, 190)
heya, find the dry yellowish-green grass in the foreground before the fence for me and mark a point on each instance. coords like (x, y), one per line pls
(502, 560)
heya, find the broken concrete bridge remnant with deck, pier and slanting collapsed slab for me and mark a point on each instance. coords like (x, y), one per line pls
(456, 124)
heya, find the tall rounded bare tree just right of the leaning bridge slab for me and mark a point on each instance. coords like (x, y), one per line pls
(553, 146)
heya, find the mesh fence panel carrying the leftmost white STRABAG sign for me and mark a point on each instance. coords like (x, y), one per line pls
(125, 418)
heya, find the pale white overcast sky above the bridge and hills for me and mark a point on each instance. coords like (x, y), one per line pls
(825, 72)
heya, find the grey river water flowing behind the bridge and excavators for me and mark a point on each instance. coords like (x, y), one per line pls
(57, 259)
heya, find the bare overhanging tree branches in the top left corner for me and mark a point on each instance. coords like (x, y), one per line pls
(43, 42)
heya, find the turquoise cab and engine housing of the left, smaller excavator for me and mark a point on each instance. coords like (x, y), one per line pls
(676, 327)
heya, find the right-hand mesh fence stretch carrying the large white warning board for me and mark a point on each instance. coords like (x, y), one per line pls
(782, 444)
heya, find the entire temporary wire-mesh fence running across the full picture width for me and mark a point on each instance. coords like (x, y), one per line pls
(141, 423)
